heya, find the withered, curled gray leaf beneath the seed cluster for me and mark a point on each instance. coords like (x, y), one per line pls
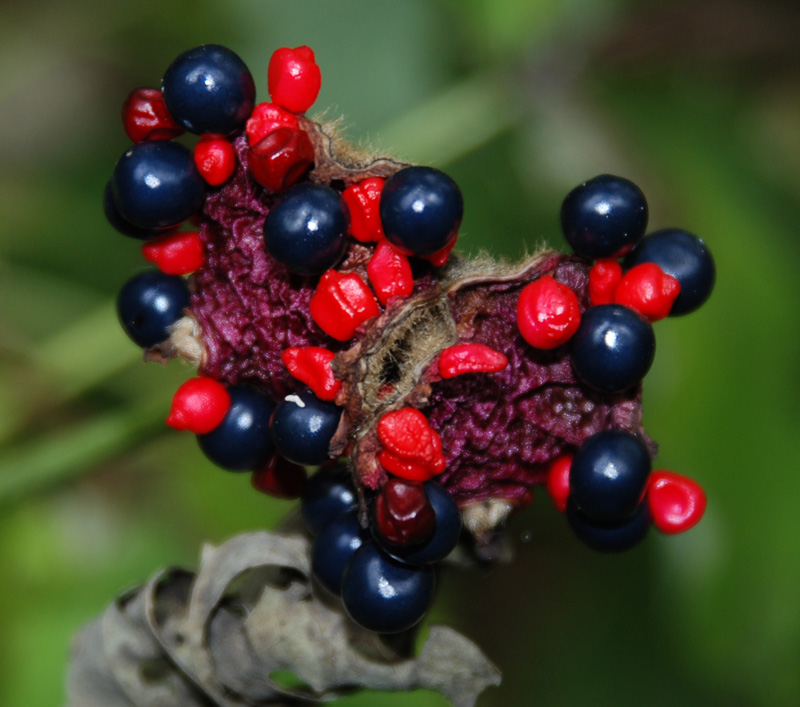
(249, 628)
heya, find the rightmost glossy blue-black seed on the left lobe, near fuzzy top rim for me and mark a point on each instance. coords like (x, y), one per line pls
(421, 209)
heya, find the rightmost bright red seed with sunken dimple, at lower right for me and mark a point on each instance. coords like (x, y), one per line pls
(676, 503)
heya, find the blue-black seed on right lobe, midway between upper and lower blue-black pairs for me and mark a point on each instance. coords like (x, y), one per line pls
(613, 348)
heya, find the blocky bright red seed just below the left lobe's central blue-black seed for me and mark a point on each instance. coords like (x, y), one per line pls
(342, 303)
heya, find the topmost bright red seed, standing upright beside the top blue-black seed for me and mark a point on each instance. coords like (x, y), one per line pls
(294, 78)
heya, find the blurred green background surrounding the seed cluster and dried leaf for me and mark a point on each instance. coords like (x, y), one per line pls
(520, 100)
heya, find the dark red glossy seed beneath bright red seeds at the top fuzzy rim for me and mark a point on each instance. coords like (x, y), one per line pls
(278, 160)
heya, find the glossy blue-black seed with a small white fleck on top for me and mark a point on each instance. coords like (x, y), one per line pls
(303, 426)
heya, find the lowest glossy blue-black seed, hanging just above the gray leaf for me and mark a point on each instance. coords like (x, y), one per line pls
(383, 595)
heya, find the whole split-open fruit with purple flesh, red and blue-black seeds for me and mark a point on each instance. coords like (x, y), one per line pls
(333, 327)
